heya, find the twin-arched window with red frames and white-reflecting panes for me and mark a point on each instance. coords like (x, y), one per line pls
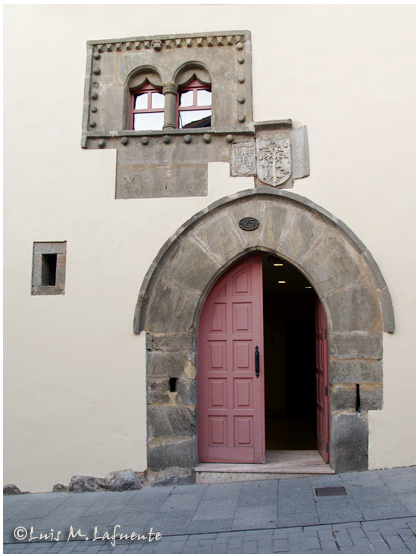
(183, 106)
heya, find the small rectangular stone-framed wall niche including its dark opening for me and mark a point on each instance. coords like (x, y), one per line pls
(48, 268)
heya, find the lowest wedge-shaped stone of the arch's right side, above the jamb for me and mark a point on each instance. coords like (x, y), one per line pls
(353, 309)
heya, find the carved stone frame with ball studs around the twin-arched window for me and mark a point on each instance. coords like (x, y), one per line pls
(97, 134)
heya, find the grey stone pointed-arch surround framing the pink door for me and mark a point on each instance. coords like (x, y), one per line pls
(346, 278)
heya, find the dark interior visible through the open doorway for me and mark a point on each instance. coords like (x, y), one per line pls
(290, 364)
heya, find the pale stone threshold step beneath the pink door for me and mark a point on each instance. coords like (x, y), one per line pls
(280, 464)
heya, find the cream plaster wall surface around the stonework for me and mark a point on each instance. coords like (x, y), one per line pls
(74, 382)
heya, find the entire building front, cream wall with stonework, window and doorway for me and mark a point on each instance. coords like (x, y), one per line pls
(224, 265)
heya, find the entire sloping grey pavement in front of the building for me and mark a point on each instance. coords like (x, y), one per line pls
(377, 514)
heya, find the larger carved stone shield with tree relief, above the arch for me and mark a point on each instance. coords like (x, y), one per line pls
(274, 160)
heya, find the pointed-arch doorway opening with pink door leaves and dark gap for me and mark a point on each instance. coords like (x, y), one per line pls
(263, 364)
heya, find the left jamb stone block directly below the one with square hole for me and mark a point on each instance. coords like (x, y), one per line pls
(171, 421)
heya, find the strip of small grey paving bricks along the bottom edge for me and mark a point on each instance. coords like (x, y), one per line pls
(388, 536)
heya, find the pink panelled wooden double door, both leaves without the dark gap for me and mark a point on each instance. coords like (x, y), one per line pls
(231, 368)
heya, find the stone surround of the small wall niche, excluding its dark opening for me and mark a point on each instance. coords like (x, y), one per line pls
(40, 249)
